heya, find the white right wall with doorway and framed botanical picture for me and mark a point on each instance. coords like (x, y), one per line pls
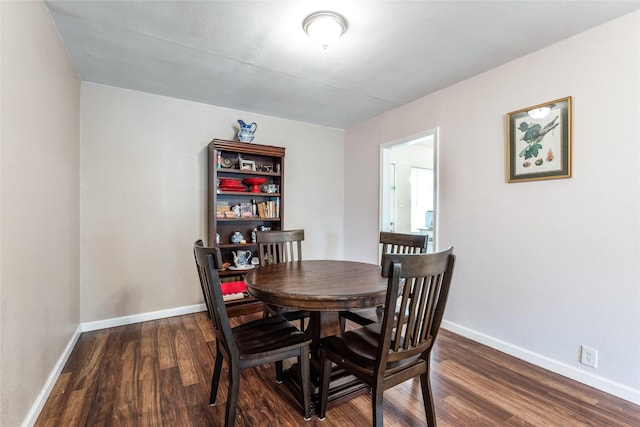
(546, 266)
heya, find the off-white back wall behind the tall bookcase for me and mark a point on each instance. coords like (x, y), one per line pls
(143, 194)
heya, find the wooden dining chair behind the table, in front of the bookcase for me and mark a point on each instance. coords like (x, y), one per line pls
(276, 247)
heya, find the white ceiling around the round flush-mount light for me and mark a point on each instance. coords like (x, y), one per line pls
(254, 56)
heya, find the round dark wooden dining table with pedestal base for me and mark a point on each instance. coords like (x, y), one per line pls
(324, 288)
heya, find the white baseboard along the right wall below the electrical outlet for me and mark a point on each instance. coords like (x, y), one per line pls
(611, 387)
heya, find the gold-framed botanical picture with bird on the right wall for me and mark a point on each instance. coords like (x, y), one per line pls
(539, 142)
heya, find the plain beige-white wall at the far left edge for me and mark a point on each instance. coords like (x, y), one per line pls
(39, 225)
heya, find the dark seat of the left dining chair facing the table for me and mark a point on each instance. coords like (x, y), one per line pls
(273, 333)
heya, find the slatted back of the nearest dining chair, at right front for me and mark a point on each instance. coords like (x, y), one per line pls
(410, 328)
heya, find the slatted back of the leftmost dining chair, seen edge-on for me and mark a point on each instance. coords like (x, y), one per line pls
(209, 261)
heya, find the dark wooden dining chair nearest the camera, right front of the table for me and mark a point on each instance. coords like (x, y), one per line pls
(387, 354)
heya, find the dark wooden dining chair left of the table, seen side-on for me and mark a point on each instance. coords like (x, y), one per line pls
(255, 343)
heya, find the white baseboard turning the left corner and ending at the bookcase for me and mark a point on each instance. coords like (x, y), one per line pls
(37, 406)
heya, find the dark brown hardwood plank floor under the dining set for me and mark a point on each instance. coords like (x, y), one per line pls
(158, 373)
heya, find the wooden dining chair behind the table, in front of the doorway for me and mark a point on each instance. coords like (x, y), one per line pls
(392, 243)
